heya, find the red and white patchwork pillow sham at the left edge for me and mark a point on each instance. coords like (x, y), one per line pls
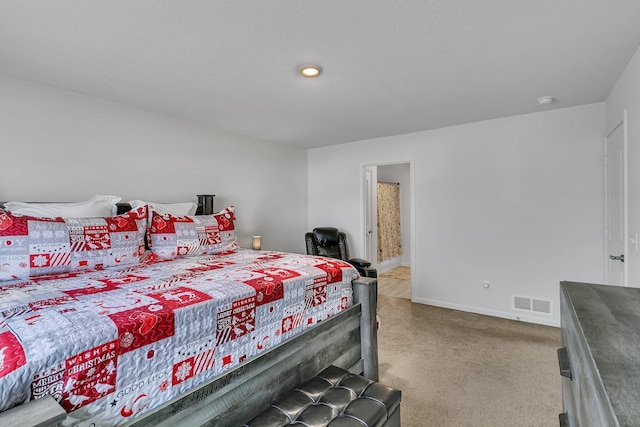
(36, 246)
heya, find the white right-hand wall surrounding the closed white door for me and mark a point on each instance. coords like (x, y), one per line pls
(626, 95)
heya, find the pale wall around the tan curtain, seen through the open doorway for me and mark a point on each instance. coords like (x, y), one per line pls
(400, 173)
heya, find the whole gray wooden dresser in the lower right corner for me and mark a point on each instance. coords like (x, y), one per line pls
(600, 357)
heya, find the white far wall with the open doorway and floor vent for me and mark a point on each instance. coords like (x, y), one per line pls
(516, 201)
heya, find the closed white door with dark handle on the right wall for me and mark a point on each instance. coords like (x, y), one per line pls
(616, 211)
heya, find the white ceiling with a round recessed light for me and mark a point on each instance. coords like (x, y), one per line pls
(390, 67)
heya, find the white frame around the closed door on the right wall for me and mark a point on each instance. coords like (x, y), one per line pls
(625, 196)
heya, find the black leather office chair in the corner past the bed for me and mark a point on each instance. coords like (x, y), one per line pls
(329, 242)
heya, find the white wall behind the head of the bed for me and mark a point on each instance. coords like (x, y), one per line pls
(58, 145)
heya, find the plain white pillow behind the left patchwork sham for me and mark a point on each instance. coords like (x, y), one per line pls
(97, 206)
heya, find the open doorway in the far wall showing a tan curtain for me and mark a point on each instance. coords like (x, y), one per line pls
(394, 274)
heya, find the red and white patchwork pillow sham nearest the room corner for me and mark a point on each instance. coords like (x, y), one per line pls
(178, 236)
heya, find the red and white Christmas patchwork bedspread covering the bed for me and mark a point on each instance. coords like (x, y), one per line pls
(109, 345)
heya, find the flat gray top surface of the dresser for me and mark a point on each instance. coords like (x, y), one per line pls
(609, 317)
